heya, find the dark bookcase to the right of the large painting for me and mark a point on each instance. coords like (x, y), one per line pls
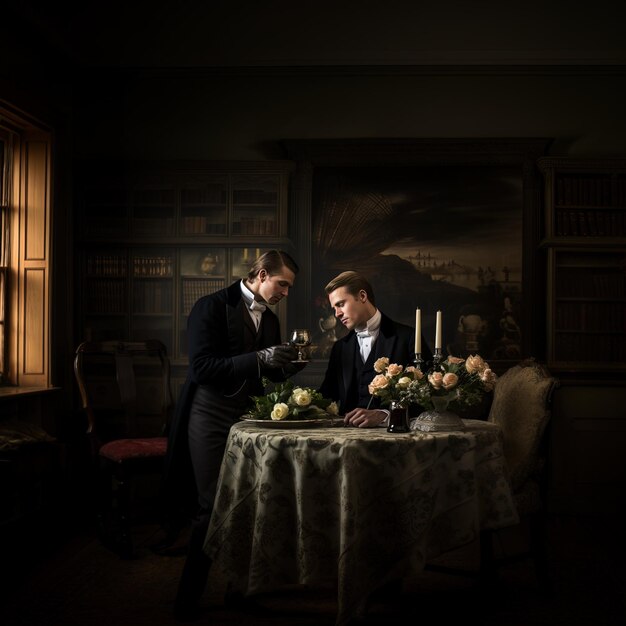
(585, 239)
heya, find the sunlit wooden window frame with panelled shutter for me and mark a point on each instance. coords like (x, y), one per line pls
(26, 284)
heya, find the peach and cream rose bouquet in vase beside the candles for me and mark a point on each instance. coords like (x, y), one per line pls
(461, 382)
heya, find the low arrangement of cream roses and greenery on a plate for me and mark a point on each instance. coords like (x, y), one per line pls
(284, 401)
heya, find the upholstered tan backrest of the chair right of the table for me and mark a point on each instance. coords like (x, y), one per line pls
(522, 407)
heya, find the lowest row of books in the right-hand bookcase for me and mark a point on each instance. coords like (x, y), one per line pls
(585, 348)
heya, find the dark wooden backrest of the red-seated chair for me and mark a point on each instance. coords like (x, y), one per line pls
(124, 387)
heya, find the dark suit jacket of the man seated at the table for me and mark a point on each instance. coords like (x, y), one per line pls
(395, 340)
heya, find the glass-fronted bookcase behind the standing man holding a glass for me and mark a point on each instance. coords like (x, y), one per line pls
(152, 238)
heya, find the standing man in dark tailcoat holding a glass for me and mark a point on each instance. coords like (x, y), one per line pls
(234, 341)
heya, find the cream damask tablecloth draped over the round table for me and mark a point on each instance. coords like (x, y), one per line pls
(352, 506)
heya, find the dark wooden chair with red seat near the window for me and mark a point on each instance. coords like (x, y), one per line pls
(125, 392)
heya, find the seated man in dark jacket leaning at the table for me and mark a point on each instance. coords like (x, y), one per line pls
(372, 335)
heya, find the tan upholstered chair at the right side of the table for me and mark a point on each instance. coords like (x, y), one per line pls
(522, 408)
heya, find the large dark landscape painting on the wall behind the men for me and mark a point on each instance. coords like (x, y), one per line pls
(445, 238)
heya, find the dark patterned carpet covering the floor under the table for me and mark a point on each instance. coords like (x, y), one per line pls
(80, 583)
